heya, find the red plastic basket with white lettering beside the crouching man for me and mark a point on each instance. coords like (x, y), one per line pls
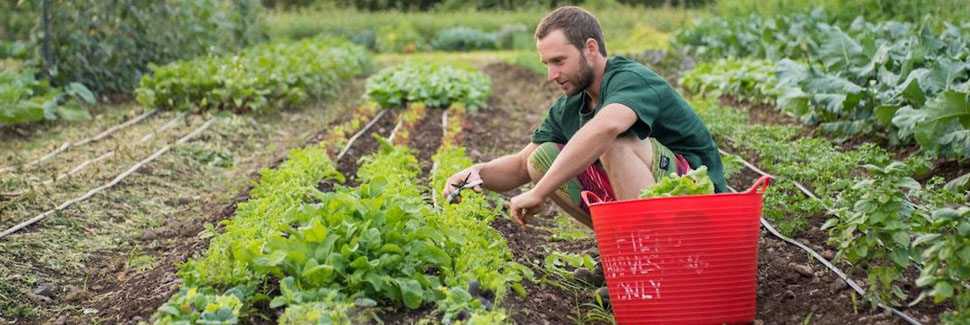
(681, 260)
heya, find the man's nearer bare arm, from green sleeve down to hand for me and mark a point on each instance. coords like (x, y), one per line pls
(587, 145)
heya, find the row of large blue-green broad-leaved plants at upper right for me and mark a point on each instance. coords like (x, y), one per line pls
(902, 81)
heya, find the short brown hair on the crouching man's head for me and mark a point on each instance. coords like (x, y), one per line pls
(577, 25)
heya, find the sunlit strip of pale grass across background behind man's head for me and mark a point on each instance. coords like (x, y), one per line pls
(625, 28)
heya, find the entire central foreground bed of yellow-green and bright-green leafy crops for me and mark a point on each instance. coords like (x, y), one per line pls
(332, 256)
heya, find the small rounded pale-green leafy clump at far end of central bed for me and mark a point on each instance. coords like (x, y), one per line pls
(433, 84)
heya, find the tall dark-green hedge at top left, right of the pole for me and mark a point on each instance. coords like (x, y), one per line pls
(107, 45)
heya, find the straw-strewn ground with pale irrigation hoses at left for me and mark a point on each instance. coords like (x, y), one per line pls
(112, 258)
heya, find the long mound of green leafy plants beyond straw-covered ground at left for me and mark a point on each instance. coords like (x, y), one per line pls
(264, 77)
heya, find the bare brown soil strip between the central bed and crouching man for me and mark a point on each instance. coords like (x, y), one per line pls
(520, 102)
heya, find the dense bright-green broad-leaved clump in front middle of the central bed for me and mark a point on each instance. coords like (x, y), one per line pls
(365, 243)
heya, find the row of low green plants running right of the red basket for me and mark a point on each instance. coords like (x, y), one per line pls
(880, 219)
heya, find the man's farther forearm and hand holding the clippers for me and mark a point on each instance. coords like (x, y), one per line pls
(501, 174)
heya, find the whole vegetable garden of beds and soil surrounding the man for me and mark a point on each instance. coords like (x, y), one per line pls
(281, 164)
